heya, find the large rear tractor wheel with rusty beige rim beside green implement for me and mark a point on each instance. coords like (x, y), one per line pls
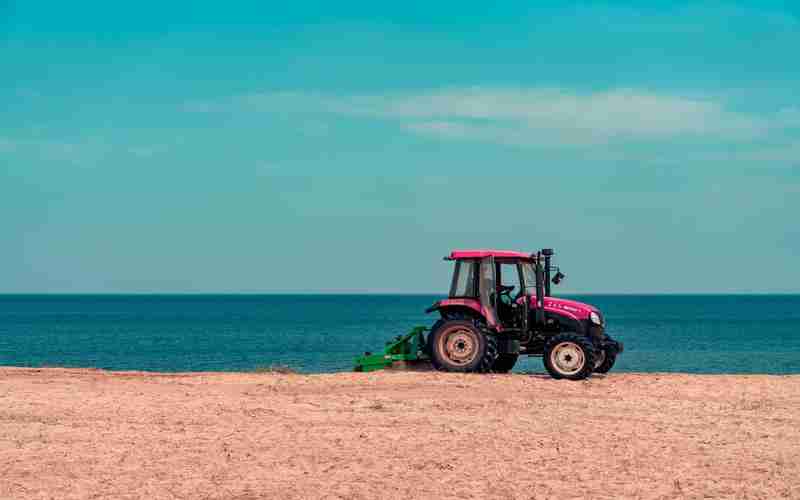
(460, 346)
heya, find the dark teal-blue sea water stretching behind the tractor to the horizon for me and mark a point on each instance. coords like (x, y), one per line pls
(323, 333)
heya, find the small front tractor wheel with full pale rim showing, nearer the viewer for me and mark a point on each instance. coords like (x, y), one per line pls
(569, 356)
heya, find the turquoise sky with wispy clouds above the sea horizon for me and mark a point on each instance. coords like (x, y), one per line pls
(347, 147)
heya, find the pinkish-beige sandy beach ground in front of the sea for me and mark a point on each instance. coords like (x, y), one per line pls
(74, 433)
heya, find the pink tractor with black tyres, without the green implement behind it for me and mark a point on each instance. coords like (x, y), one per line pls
(500, 308)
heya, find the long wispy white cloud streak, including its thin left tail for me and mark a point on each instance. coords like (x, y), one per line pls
(526, 116)
